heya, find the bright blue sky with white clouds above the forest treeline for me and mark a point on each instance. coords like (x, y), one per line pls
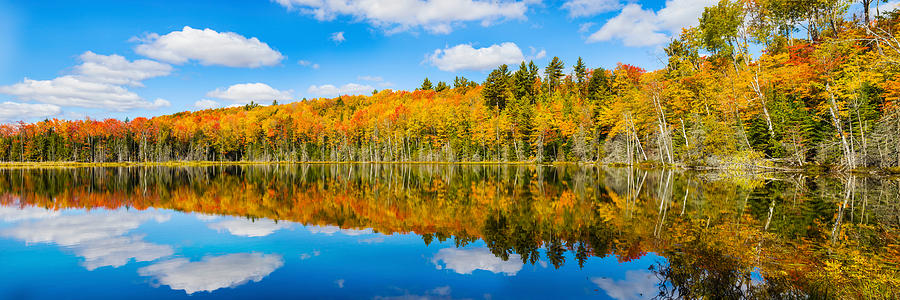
(118, 59)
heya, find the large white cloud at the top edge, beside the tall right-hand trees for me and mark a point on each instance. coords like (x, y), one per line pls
(639, 27)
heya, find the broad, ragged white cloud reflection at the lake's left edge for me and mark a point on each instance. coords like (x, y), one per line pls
(97, 237)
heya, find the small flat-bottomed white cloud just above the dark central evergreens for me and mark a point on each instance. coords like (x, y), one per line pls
(465, 57)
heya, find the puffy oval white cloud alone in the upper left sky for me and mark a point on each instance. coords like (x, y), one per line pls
(208, 47)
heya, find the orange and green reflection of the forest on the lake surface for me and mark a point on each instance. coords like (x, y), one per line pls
(786, 226)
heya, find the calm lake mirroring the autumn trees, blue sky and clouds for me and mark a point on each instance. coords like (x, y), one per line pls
(392, 231)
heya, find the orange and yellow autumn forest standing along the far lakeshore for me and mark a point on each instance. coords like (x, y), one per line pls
(758, 84)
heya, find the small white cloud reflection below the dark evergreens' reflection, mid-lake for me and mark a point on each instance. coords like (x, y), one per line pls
(464, 261)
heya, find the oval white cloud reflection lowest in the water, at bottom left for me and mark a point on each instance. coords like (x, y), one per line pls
(213, 272)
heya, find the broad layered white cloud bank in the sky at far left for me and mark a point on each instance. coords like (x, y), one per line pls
(96, 83)
